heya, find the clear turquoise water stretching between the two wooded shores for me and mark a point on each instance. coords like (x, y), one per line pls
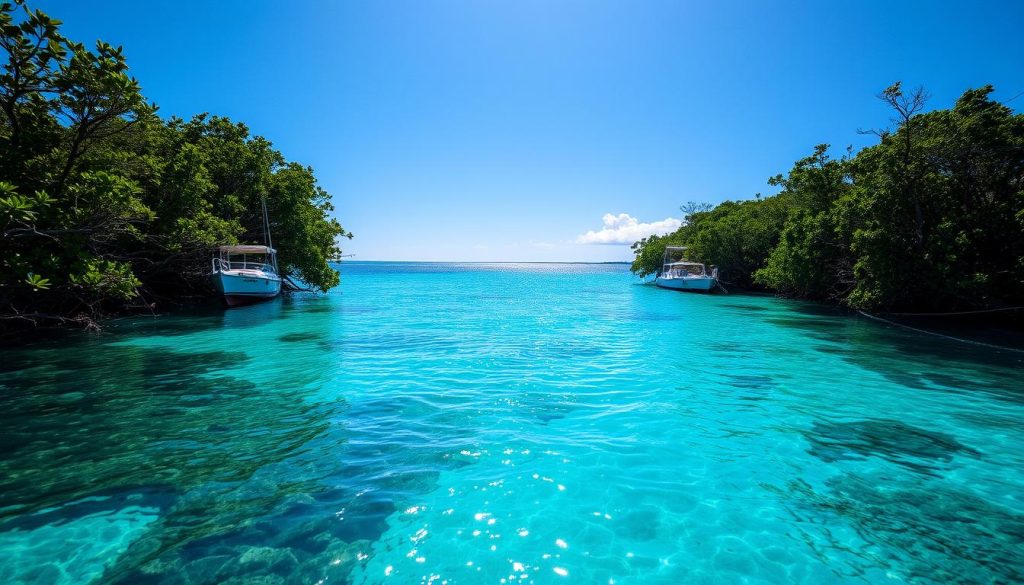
(532, 424)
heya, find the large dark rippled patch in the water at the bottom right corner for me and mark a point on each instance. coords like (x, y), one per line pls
(933, 533)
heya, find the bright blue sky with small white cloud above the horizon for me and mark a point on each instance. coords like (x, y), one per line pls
(483, 131)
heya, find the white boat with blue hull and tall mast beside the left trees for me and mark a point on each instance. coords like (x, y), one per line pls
(247, 274)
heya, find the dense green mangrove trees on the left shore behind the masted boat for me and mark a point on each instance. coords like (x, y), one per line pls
(103, 204)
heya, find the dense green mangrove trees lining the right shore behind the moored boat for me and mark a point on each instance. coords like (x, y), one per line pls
(930, 219)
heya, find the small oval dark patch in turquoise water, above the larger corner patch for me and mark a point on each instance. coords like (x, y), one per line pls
(894, 441)
